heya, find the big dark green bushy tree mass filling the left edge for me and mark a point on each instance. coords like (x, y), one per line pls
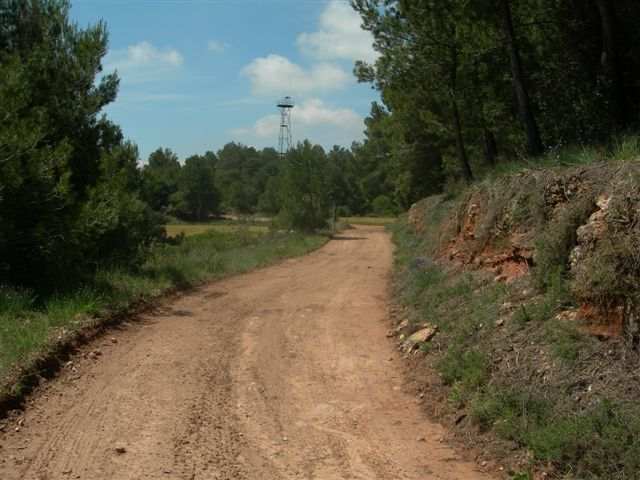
(70, 188)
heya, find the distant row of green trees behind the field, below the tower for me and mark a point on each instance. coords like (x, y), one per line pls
(244, 180)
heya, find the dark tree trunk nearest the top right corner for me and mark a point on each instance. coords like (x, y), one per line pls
(610, 62)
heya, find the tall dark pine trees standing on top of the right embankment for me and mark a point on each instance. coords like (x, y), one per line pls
(465, 84)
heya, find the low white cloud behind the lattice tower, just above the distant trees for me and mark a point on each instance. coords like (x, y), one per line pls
(311, 119)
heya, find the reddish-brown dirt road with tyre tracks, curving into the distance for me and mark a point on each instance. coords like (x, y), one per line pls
(284, 373)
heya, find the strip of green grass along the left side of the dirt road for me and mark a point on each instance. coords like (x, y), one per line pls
(29, 325)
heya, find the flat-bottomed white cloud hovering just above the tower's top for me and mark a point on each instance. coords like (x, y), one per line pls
(277, 75)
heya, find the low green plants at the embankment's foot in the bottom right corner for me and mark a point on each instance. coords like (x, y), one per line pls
(600, 442)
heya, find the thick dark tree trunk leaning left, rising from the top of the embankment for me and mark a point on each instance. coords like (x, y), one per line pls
(534, 143)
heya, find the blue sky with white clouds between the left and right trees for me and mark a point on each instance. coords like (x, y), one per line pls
(196, 74)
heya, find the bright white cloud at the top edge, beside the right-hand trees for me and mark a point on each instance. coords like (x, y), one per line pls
(339, 36)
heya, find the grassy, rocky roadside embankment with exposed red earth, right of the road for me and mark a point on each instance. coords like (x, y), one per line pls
(541, 365)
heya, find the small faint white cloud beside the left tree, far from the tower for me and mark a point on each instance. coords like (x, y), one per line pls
(143, 62)
